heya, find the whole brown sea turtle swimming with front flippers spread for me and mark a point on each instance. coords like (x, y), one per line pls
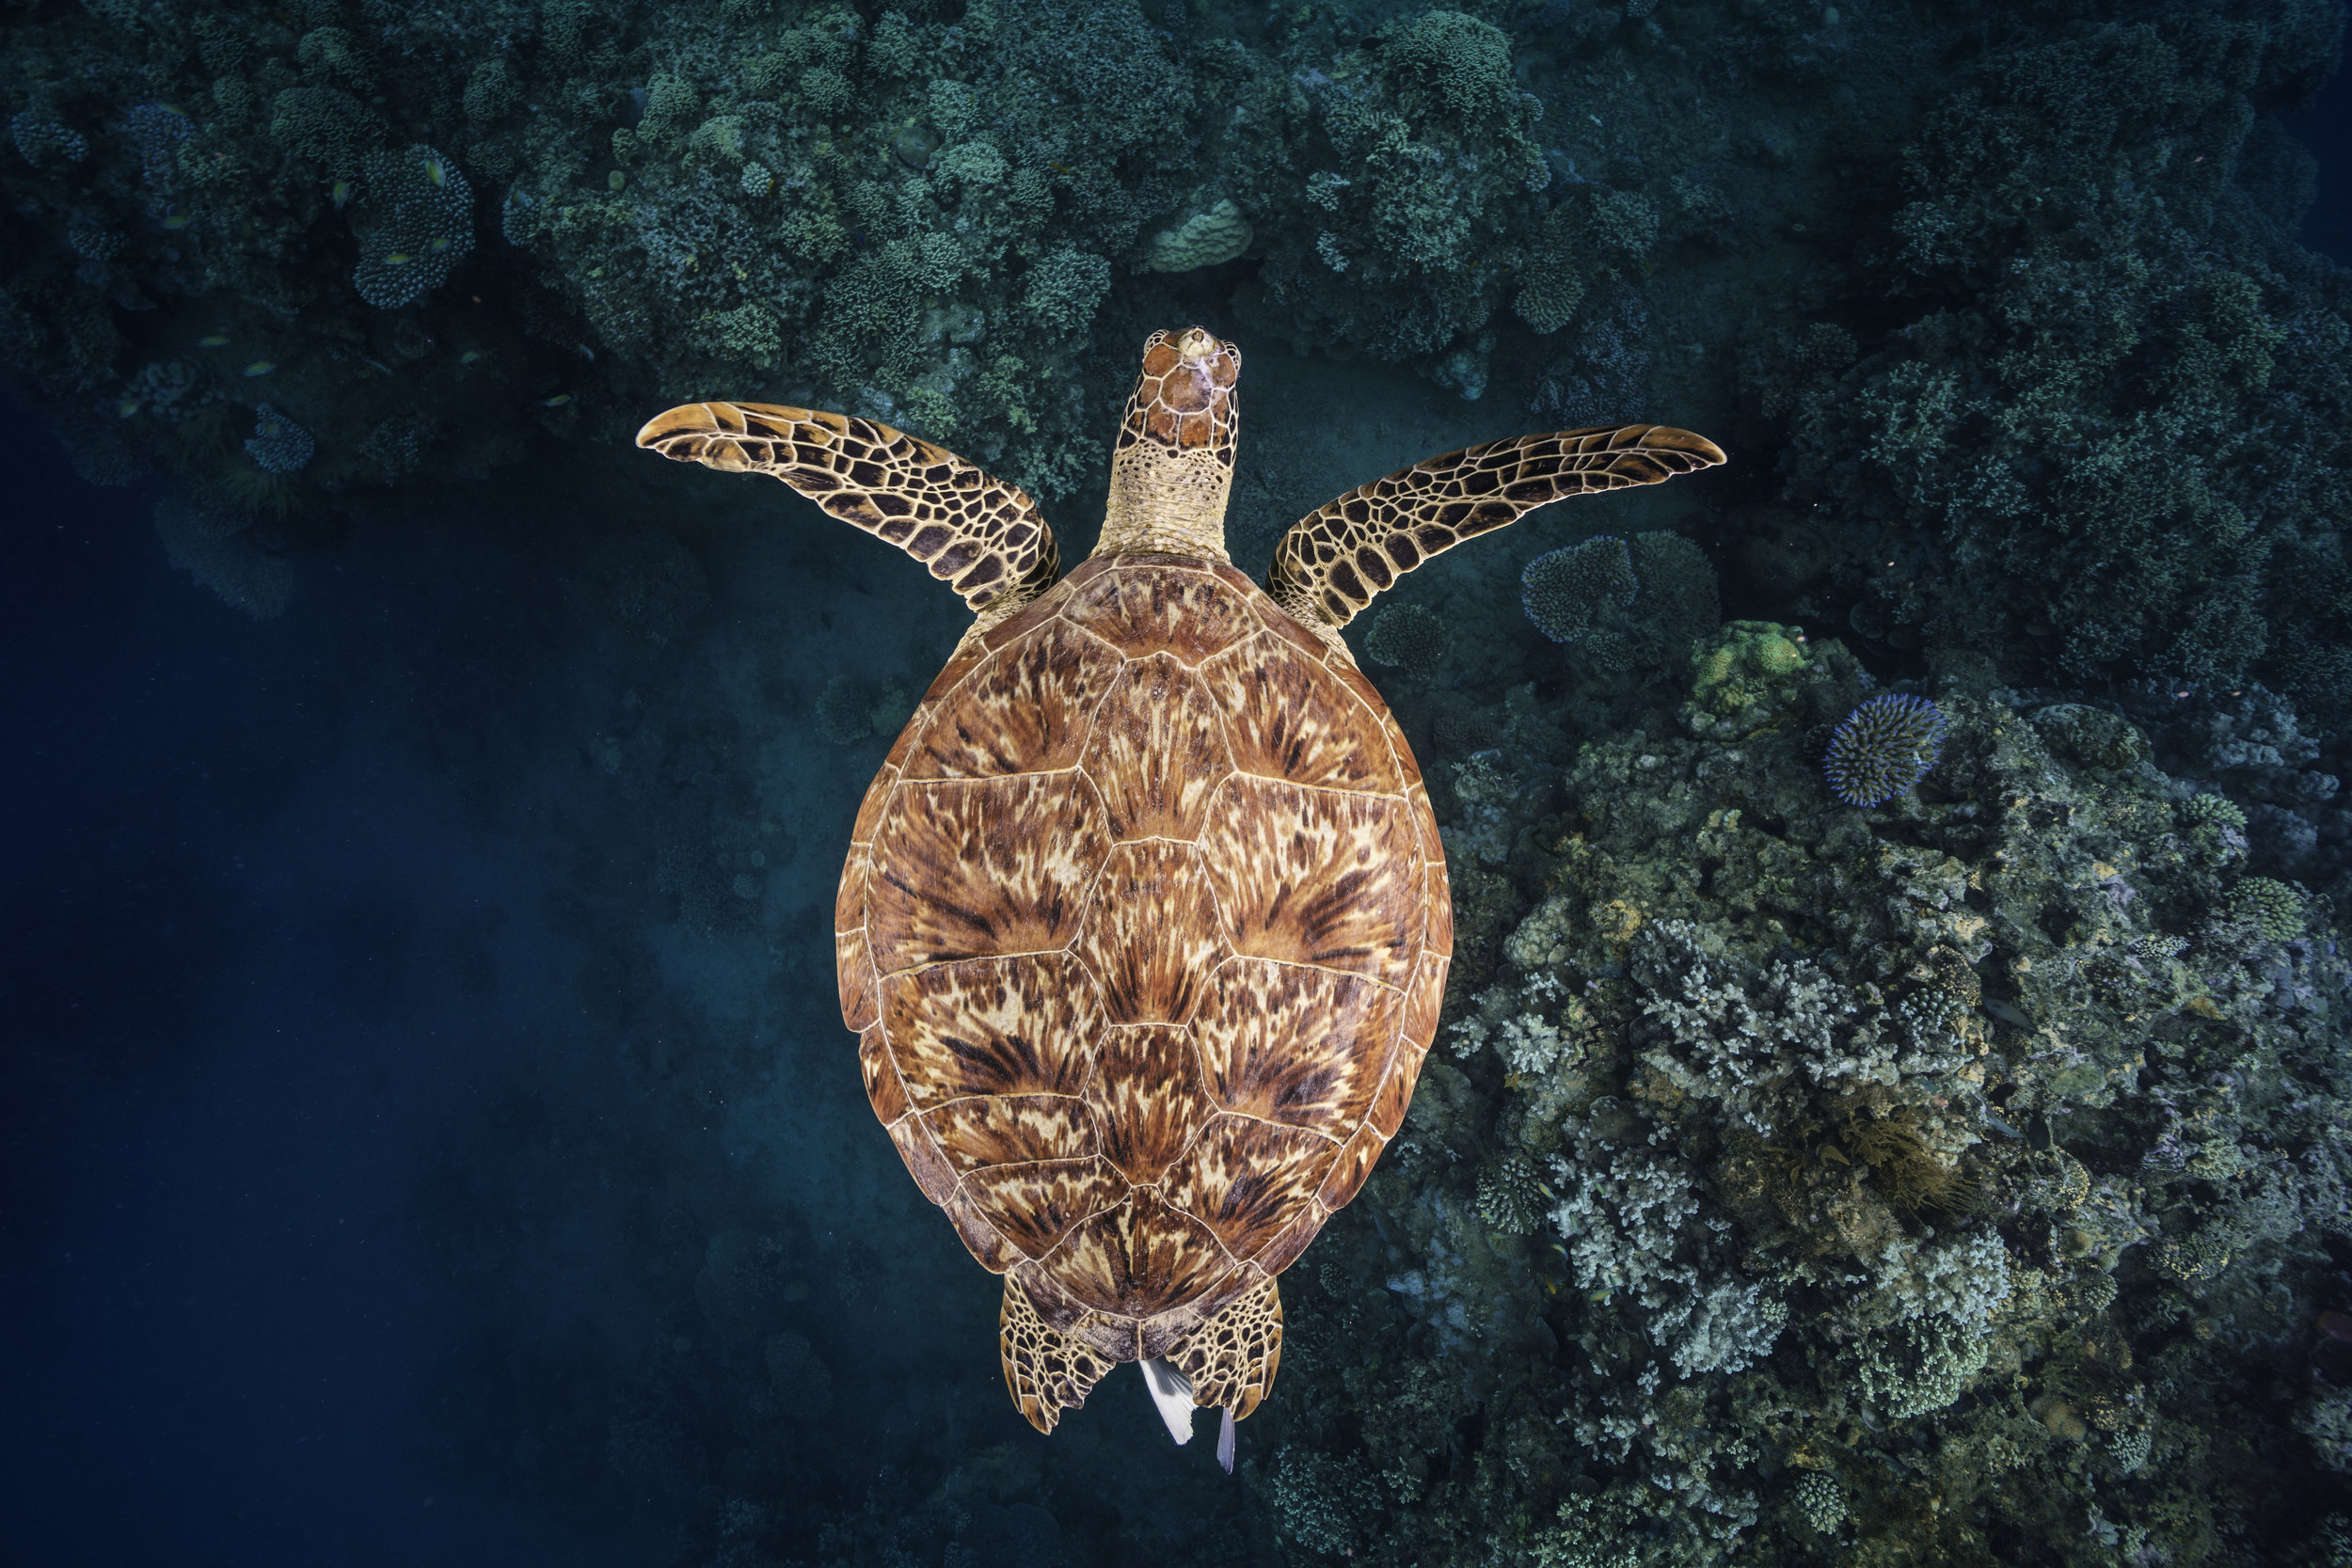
(1144, 923)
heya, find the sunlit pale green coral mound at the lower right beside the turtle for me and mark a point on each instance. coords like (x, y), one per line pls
(1871, 1172)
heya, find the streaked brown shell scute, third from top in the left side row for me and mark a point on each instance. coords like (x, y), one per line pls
(991, 1028)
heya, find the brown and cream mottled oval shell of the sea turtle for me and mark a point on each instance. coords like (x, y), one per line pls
(1144, 932)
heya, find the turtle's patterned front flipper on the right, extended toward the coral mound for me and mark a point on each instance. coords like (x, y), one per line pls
(1342, 556)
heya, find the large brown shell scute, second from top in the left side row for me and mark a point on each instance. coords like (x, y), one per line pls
(982, 869)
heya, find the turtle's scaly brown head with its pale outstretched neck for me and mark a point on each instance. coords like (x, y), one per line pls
(1172, 467)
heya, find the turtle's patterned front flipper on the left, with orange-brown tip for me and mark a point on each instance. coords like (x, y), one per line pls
(973, 530)
